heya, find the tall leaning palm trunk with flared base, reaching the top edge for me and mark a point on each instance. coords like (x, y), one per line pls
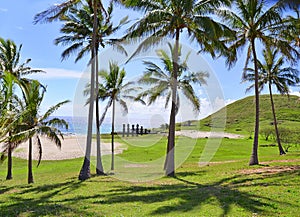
(85, 169)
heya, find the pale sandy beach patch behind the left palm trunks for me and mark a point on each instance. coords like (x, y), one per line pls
(72, 147)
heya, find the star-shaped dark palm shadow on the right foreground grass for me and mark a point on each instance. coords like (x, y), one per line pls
(191, 195)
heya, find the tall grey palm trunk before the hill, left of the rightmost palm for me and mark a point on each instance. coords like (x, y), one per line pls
(254, 155)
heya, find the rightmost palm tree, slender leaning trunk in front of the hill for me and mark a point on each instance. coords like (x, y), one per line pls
(272, 72)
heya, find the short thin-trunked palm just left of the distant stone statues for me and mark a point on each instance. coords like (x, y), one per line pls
(114, 89)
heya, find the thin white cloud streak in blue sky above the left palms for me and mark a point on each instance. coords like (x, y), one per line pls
(56, 73)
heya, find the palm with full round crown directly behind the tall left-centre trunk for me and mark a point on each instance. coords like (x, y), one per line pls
(78, 33)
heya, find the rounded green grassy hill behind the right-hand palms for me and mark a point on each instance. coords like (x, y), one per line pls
(240, 115)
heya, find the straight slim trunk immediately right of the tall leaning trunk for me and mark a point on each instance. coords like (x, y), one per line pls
(99, 167)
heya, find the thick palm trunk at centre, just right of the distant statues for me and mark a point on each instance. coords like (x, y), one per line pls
(170, 158)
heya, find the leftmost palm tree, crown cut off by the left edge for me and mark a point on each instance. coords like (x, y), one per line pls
(9, 63)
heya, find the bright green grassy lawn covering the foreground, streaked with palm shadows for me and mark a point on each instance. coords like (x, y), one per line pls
(225, 187)
